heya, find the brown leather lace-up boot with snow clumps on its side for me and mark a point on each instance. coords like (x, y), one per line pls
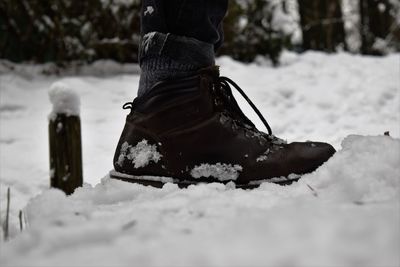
(192, 130)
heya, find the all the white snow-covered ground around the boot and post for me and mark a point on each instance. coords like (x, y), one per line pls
(347, 213)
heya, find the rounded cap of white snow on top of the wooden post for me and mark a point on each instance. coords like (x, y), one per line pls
(65, 100)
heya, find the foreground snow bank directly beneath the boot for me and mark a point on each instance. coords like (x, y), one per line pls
(346, 213)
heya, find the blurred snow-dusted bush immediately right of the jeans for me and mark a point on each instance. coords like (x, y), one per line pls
(257, 27)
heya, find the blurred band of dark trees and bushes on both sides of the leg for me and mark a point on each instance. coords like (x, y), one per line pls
(66, 30)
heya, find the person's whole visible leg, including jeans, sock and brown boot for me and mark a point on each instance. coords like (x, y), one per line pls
(188, 126)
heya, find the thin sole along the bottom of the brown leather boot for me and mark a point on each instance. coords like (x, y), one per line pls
(159, 181)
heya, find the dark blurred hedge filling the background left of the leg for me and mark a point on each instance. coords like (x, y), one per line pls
(64, 30)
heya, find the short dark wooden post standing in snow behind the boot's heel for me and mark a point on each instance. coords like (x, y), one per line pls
(65, 145)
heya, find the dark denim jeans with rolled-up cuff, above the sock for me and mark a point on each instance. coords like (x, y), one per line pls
(182, 29)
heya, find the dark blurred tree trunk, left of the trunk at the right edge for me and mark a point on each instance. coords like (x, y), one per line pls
(322, 25)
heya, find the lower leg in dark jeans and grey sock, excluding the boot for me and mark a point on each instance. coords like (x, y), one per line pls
(178, 38)
